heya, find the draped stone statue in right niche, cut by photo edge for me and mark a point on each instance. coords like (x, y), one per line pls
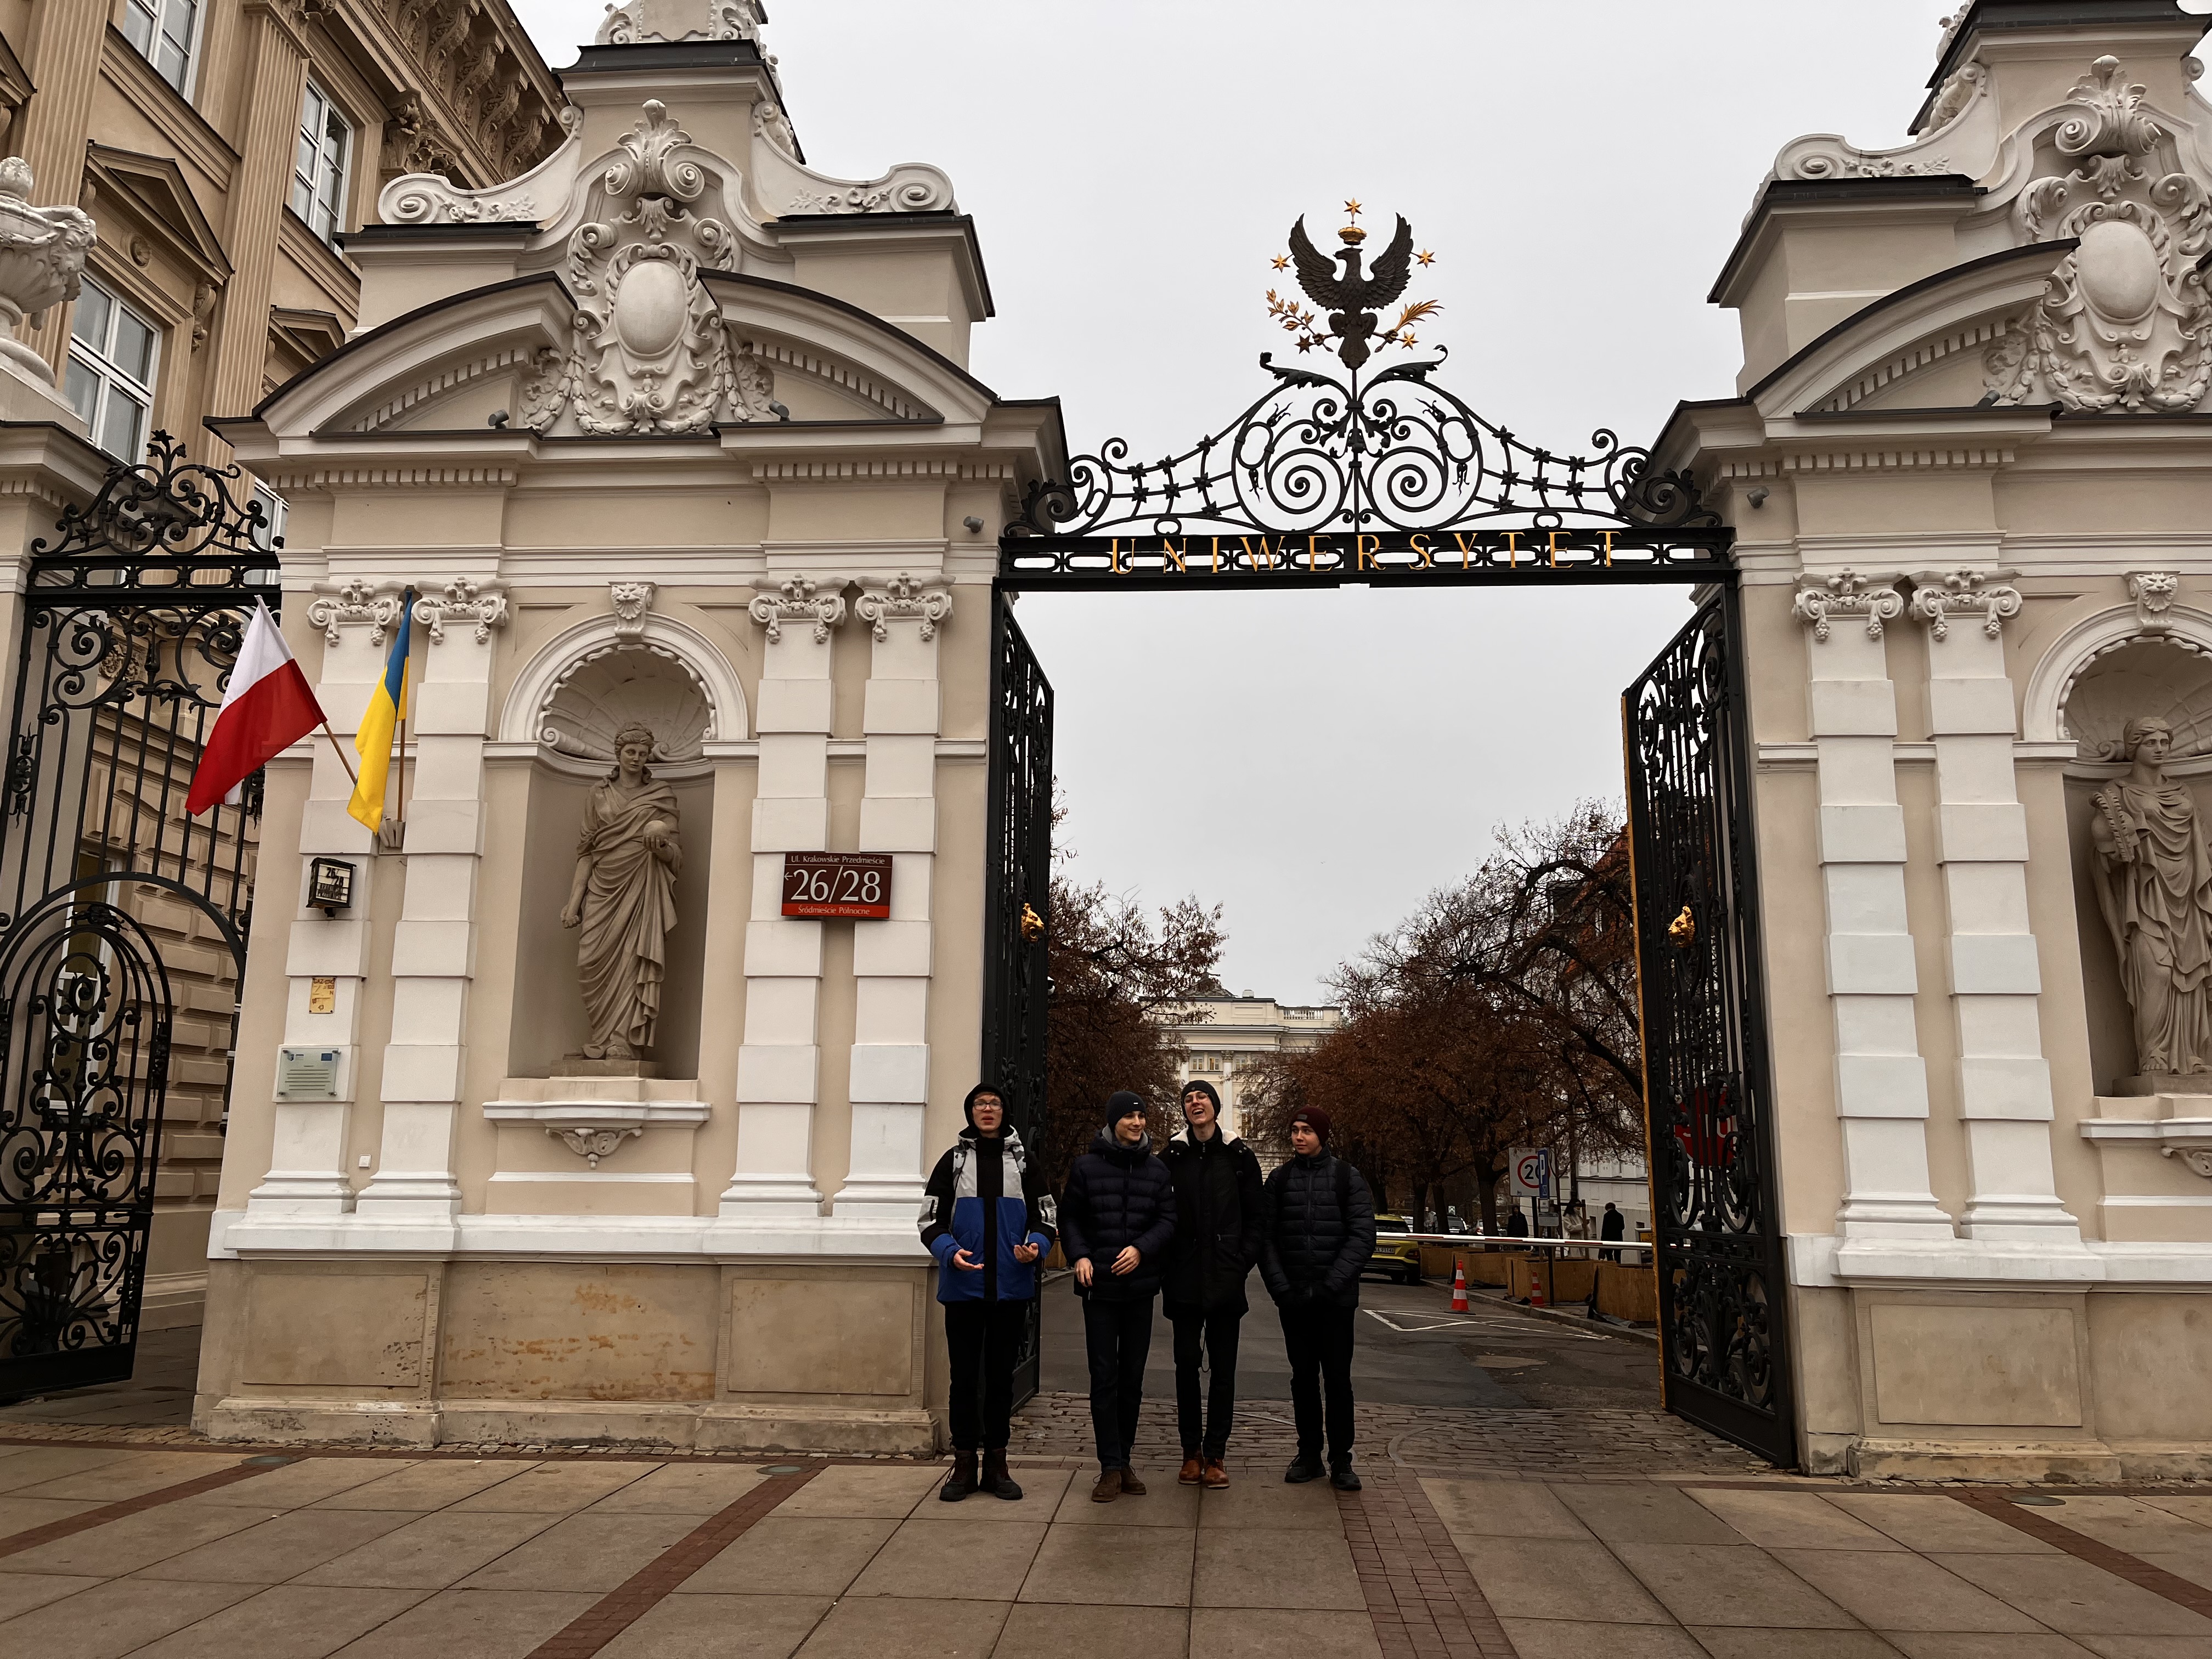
(2153, 866)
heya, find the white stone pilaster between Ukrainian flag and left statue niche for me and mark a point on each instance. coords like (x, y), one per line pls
(435, 946)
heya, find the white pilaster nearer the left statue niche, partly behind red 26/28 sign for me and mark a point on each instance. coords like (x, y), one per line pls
(780, 1058)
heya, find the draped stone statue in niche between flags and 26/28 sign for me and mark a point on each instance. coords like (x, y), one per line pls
(627, 866)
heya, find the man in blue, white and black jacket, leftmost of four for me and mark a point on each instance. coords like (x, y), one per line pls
(988, 1220)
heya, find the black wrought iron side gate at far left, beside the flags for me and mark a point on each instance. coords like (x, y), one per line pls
(132, 625)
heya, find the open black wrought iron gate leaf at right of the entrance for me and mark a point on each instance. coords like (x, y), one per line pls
(1709, 1096)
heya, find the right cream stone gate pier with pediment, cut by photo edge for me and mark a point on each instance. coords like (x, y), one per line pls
(1972, 483)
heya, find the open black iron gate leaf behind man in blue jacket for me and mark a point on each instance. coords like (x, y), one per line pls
(1019, 901)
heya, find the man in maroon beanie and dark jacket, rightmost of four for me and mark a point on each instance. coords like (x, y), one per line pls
(1317, 1235)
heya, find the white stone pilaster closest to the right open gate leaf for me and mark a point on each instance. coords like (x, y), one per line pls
(1881, 1078)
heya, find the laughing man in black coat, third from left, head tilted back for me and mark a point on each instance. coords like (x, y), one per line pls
(1218, 1202)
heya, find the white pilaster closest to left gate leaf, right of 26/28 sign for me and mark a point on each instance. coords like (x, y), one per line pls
(899, 815)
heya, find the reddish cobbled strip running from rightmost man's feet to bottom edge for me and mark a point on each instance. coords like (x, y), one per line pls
(1421, 1598)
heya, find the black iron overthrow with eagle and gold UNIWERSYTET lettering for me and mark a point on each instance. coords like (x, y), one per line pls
(1364, 477)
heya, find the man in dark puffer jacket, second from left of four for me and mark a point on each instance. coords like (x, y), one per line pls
(1116, 1224)
